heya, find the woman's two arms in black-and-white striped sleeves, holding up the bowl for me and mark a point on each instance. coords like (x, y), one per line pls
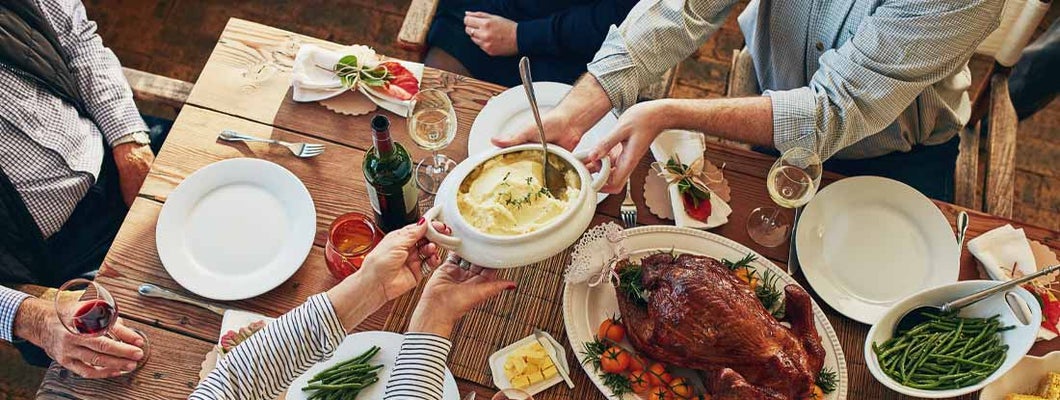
(266, 364)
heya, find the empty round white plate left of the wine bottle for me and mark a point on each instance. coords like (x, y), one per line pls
(236, 229)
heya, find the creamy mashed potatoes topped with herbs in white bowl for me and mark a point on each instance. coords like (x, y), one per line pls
(505, 195)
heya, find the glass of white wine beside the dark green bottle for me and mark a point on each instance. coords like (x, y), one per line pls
(433, 126)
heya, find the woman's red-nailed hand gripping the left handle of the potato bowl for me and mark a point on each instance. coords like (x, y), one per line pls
(397, 264)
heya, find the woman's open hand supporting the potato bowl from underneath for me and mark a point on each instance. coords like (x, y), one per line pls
(451, 293)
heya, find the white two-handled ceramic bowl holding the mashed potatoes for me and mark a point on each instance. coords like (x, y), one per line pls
(507, 252)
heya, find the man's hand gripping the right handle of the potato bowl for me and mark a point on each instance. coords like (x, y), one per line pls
(637, 129)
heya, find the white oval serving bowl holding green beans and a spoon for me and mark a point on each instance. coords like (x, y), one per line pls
(1019, 340)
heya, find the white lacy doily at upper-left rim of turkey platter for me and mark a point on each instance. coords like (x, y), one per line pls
(595, 255)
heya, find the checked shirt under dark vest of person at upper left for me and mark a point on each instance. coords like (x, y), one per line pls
(50, 153)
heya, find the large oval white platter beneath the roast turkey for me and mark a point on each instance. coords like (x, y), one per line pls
(585, 308)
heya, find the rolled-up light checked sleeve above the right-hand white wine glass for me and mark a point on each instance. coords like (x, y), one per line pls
(863, 86)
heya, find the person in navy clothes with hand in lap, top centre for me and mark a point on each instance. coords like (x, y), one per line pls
(485, 39)
